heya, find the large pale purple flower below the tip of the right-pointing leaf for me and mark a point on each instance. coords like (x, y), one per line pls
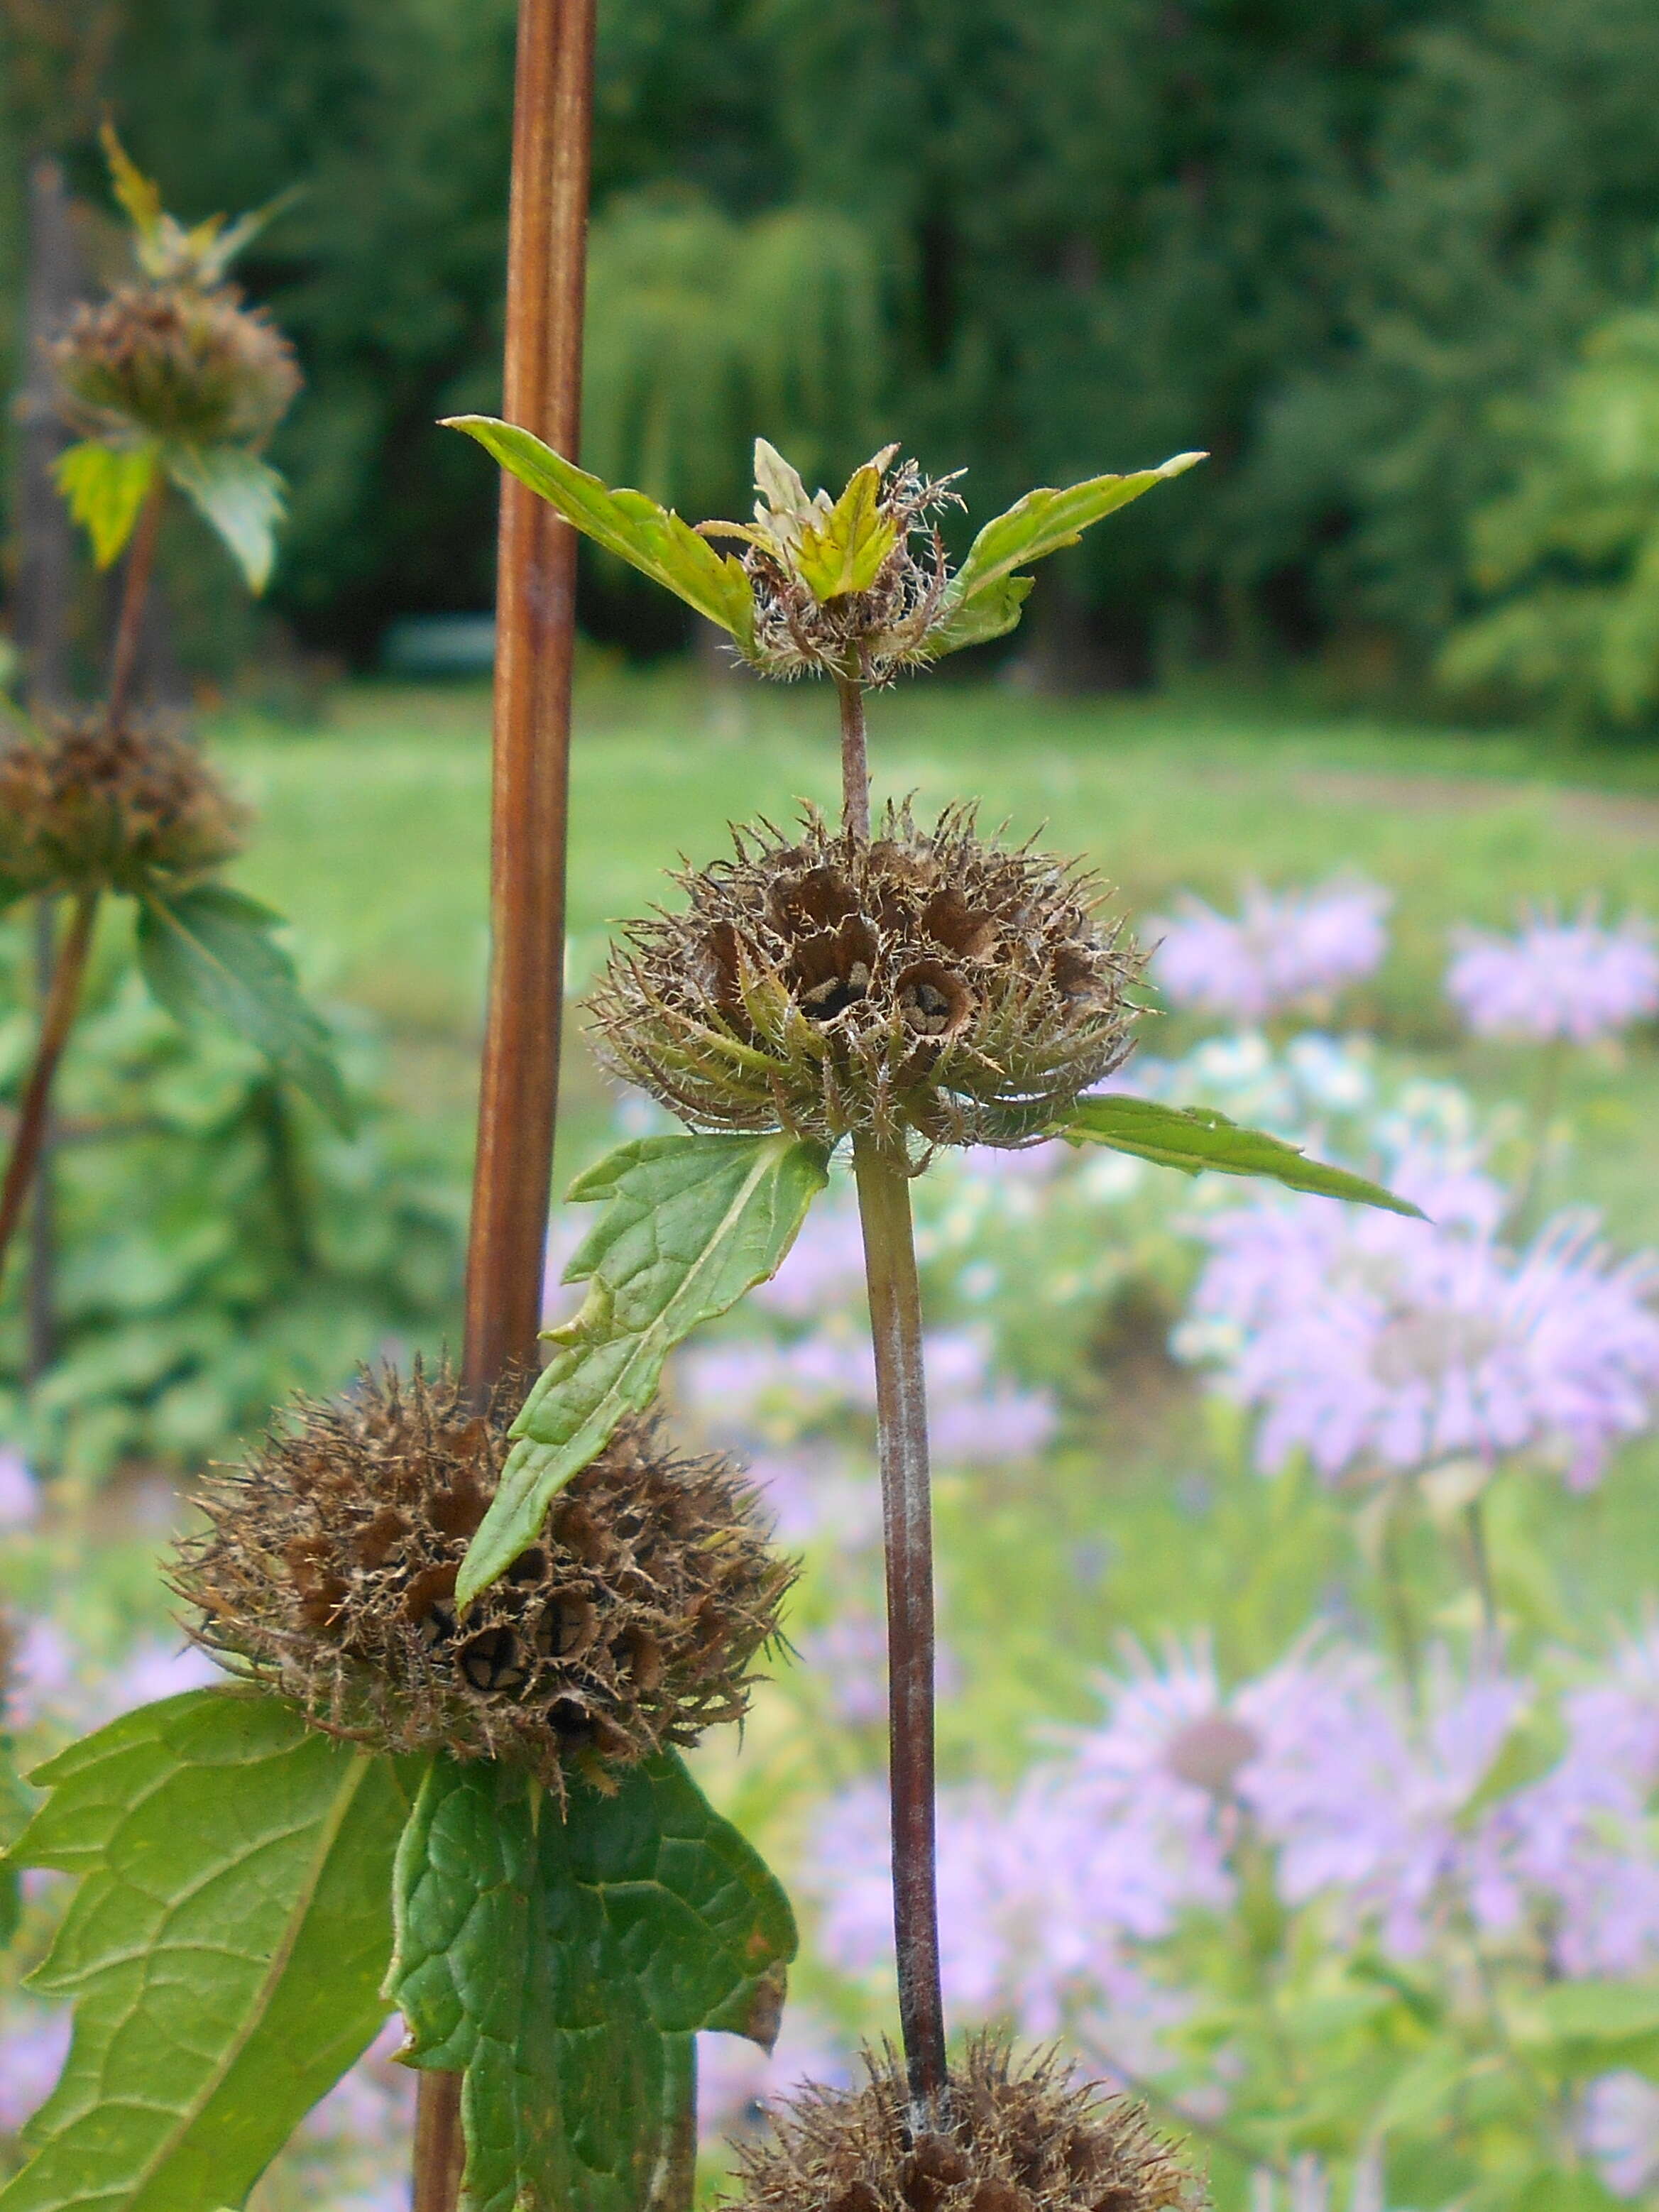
(1377, 1344)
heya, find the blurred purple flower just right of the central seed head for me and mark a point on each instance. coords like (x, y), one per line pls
(1284, 952)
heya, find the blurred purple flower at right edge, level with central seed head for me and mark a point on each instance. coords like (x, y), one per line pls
(1556, 979)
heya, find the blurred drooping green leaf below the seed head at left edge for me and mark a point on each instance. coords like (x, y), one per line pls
(211, 950)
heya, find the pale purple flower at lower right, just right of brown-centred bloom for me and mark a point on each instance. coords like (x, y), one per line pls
(1366, 1804)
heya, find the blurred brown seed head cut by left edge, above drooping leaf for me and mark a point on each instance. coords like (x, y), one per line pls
(96, 808)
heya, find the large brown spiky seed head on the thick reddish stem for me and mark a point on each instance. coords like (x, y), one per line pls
(331, 1574)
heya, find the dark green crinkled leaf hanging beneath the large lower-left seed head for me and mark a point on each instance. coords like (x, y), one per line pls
(567, 1961)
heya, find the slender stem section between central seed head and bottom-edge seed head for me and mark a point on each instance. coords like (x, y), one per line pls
(908, 1525)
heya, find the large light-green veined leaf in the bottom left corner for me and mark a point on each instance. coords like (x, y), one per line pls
(225, 1950)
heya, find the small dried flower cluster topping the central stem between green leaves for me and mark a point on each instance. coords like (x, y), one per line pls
(873, 632)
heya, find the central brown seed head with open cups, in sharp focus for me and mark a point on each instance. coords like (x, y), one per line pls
(928, 983)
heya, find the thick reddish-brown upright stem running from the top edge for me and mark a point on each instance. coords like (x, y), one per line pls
(532, 751)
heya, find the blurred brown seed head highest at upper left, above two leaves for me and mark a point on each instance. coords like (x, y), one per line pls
(174, 362)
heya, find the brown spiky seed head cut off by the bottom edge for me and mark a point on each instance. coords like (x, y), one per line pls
(1019, 2140)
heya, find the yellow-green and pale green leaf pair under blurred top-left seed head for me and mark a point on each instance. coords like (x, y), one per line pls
(236, 492)
